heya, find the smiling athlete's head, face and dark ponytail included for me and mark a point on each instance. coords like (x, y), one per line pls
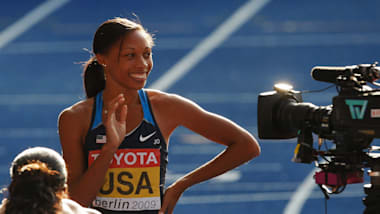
(114, 51)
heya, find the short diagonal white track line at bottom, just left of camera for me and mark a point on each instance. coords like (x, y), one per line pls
(302, 193)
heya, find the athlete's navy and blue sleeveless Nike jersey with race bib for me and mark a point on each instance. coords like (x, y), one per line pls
(135, 180)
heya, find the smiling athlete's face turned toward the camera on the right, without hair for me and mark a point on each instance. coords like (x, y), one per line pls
(129, 63)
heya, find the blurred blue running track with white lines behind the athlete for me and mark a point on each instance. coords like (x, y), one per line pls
(236, 50)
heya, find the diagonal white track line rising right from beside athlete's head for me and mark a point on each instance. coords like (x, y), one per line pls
(215, 39)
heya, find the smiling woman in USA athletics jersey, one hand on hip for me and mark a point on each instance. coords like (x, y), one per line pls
(115, 143)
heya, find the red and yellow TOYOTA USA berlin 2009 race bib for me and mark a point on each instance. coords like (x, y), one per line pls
(132, 181)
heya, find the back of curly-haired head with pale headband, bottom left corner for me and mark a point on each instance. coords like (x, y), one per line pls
(38, 182)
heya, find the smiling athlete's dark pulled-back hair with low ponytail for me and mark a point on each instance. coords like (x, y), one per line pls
(108, 34)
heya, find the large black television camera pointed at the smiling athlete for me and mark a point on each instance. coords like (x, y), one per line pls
(351, 122)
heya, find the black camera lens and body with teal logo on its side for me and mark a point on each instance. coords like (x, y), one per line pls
(282, 114)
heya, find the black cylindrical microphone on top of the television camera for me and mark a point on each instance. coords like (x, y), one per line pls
(327, 73)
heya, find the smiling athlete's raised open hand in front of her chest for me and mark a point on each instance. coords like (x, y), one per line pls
(115, 114)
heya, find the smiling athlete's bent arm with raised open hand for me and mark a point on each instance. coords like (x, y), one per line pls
(85, 181)
